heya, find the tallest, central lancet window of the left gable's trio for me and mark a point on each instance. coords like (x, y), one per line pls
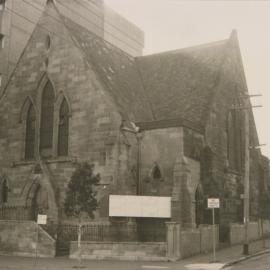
(46, 124)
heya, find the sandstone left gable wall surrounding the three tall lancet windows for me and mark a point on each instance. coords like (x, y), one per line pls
(93, 124)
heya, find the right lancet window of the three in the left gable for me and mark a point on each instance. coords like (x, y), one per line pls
(63, 129)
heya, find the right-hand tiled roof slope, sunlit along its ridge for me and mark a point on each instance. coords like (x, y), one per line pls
(181, 83)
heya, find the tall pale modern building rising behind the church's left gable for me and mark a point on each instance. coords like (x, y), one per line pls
(93, 15)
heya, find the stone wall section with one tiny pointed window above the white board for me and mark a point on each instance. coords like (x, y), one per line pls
(161, 147)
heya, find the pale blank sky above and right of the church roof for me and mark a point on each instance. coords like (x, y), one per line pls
(172, 24)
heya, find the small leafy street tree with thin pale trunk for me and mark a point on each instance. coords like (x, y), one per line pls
(81, 196)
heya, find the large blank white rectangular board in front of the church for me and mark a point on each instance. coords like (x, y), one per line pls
(139, 206)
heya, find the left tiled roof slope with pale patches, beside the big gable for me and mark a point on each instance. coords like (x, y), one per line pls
(117, 71)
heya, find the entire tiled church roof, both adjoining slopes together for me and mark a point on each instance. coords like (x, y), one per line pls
(171, 85)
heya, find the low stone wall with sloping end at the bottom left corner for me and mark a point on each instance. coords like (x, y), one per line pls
(19, 238)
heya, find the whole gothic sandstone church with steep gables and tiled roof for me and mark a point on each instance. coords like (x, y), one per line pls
(168, 124)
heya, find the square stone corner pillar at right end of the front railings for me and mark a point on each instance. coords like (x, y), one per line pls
(173, 240)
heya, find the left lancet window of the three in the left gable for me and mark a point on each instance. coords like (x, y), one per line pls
(30, 133)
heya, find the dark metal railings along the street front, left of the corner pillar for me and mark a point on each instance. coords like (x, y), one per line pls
(140, 231)
